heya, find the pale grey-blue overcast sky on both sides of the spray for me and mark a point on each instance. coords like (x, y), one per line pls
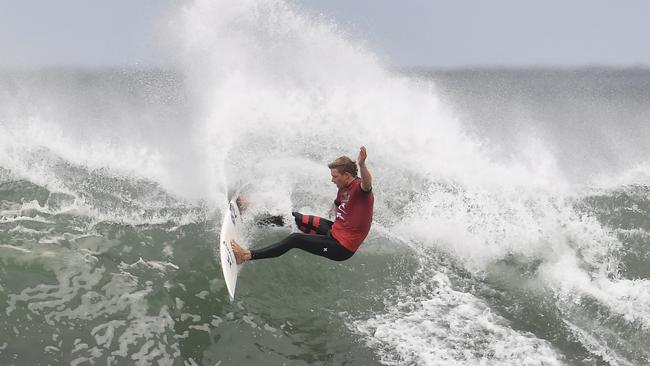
(406, 33)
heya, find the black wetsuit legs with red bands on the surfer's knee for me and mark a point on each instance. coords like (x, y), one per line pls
(315, 239)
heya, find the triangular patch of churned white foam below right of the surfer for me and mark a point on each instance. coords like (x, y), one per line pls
(449, 327)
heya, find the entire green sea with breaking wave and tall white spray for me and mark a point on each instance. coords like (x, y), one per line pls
(512, 208)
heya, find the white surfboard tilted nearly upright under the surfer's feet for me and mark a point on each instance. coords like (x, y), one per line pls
(229, 231)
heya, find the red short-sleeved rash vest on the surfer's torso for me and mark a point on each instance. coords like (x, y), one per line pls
(353, 215)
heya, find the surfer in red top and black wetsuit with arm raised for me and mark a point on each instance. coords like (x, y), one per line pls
(337, 240)
